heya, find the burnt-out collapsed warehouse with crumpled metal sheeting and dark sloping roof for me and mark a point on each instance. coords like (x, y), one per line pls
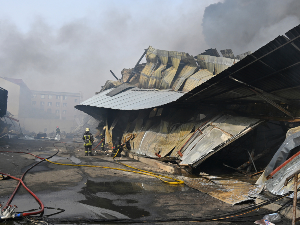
(197, 110)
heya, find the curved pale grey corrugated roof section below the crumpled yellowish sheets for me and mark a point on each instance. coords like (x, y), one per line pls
(133, 99)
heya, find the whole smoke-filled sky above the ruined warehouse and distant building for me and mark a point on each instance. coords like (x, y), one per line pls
(70, 45)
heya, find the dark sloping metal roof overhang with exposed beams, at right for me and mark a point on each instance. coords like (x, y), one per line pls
(271, 74)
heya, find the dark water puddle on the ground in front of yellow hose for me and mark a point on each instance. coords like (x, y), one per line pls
(103, 195)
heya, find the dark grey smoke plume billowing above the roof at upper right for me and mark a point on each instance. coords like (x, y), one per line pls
(248, 24)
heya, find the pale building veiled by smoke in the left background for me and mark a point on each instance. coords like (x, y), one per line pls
(41, 111)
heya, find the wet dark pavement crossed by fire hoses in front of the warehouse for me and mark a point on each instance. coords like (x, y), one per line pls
(77, 195)
